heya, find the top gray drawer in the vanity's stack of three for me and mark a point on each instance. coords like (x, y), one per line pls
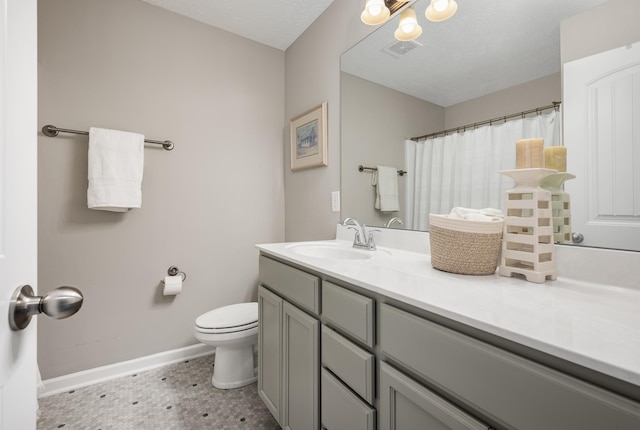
(348, 311)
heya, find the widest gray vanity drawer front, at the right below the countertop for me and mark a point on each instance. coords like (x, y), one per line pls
(517, 392)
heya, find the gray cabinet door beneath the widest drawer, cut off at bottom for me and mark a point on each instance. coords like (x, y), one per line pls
(407, 405)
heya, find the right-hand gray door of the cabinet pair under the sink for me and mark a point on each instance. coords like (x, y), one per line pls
(301, 367)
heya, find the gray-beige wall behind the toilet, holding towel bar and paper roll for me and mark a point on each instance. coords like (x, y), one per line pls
(127, 65)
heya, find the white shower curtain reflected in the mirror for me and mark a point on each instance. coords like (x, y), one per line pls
(461, 169)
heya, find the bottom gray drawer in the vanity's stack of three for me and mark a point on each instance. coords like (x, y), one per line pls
(341, 409)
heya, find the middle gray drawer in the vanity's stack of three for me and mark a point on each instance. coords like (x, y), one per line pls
(349, 362)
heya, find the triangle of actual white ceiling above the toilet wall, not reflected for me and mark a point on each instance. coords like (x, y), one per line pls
(276, 23)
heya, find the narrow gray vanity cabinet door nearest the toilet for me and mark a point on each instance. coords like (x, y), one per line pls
(270, 351)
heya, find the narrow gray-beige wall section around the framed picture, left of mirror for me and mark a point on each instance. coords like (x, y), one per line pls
(312, 70)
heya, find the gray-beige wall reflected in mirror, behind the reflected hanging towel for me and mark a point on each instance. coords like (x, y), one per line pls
(375, 121)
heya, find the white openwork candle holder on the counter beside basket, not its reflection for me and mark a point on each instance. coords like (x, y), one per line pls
(527, 239)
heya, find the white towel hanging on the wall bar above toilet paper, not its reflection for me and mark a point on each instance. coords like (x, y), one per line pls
(116, 163)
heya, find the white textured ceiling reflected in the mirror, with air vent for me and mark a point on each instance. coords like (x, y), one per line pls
(486, 46)
